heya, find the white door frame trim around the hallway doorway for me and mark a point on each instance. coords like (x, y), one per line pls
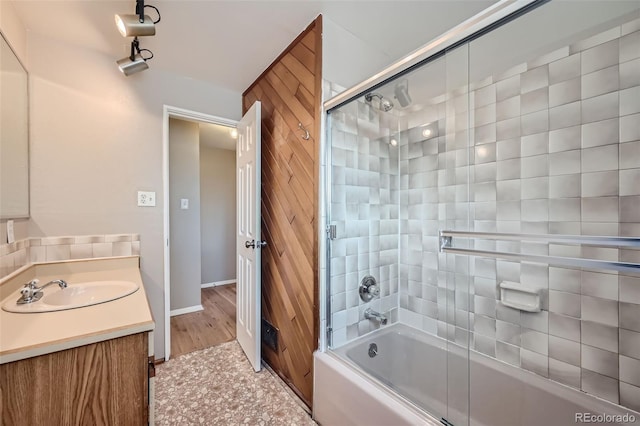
(168, 112)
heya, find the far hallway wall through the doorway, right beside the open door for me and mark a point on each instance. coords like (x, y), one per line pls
(218, 214)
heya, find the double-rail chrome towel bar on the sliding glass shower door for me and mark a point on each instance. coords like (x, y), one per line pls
(447, 236)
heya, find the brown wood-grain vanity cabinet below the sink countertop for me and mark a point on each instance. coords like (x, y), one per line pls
(104, 383)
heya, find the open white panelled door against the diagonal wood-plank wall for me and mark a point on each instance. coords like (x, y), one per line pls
(248, 241)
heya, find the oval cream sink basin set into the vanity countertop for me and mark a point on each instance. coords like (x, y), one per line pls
(74, 296)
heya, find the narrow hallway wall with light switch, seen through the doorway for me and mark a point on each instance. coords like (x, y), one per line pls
(184, 175)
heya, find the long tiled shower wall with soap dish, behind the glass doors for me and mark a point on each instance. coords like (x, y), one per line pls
(554, 148)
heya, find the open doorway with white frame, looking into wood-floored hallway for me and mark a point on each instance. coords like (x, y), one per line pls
(199, 224)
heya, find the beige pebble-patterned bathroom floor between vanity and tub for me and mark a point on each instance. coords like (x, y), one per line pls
(217, 386)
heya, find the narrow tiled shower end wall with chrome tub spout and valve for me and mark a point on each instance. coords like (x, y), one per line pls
(364, 208)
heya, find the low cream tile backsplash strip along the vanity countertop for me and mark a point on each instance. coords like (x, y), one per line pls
(17, 254)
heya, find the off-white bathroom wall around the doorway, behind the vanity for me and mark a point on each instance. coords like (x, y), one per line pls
(96, 139)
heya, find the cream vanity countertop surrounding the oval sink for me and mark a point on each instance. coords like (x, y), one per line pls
(25, 335)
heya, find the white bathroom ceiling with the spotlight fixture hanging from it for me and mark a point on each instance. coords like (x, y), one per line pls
(230, 42)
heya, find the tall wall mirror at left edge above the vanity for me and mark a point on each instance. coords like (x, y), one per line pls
(14, 135)
